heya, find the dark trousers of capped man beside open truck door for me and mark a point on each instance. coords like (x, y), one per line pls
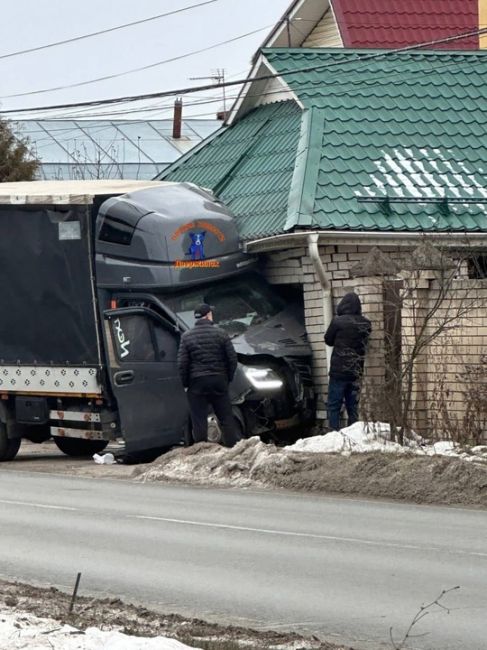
(211, 391)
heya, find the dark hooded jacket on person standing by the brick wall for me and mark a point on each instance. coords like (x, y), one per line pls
(348, 333)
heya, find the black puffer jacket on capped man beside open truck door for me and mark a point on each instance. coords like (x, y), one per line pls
(206, 350)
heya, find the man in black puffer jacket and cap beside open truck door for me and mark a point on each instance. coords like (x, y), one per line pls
(207, 362)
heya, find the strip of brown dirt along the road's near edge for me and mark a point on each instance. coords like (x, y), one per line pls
(114, 614)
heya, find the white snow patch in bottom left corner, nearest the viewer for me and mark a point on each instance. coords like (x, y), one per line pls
(19, 631)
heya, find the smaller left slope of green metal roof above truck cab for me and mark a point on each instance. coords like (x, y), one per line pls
(249, 167)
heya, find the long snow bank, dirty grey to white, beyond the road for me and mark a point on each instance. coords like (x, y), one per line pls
(251, 463)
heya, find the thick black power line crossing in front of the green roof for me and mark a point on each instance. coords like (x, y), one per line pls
(242, 82)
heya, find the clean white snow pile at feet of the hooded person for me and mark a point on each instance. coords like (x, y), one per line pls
(363, 437)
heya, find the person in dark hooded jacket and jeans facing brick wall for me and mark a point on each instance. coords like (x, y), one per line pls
(348, 334)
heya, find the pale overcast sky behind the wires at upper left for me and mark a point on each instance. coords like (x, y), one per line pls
(32, 23)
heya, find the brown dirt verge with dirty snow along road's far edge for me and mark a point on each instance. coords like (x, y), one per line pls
(417, 479)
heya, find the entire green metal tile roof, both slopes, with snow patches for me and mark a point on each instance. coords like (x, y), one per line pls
(383, 138)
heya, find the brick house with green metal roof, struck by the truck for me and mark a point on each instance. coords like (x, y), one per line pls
(364, 156)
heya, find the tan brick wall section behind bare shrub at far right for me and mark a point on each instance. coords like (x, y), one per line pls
(443, 389)
